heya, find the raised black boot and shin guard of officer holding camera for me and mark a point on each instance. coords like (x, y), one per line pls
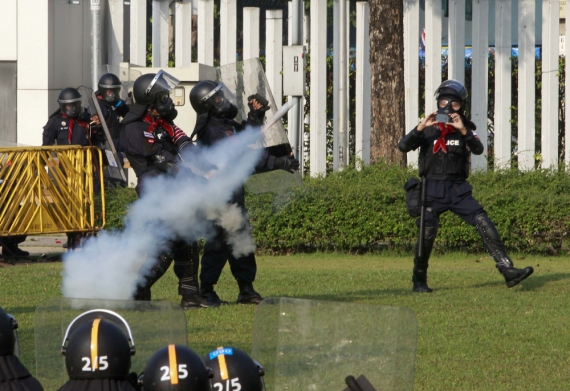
(494, 245)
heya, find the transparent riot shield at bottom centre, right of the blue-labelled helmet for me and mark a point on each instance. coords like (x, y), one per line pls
(316, 345)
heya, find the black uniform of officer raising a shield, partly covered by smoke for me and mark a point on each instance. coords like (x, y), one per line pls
(217, 251)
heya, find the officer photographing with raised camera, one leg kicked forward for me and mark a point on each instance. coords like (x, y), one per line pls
(445, 149)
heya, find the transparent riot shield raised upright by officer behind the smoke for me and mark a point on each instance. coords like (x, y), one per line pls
(247, 78)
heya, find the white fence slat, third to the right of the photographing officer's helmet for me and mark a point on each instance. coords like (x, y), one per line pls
(526, 85)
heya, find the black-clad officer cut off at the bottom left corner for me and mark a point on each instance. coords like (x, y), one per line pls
(14, 376)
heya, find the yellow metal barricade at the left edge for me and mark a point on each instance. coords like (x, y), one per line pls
(50, 190)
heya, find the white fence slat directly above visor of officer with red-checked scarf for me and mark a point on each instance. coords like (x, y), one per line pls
(183, 33)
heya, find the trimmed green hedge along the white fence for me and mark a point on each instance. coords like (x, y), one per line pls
(364, 211)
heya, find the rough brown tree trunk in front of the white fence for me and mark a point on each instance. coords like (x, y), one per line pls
(387, 69)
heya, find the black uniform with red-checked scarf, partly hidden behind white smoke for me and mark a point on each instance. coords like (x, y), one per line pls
(143, 141)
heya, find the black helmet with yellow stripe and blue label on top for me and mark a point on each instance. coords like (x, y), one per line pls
(233, 366)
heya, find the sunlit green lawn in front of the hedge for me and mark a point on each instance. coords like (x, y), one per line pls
(474, 333)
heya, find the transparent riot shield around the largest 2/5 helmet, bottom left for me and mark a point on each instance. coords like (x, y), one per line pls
(153, 325)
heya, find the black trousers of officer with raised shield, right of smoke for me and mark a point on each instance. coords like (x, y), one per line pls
(216, 253)
